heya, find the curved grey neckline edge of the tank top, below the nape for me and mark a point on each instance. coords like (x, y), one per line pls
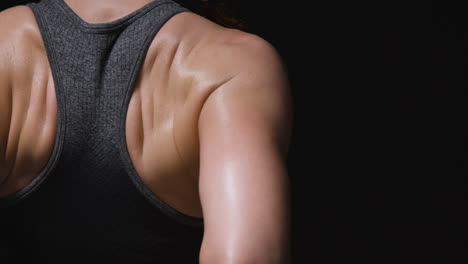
(111, 25)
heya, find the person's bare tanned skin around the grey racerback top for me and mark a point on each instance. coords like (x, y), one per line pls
(210, 137)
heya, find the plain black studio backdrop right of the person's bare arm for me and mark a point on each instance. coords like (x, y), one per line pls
(378, 141)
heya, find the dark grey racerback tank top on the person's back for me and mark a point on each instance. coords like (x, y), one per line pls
(88, 204)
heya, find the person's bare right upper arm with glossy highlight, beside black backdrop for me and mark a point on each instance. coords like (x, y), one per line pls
(244, 132)
